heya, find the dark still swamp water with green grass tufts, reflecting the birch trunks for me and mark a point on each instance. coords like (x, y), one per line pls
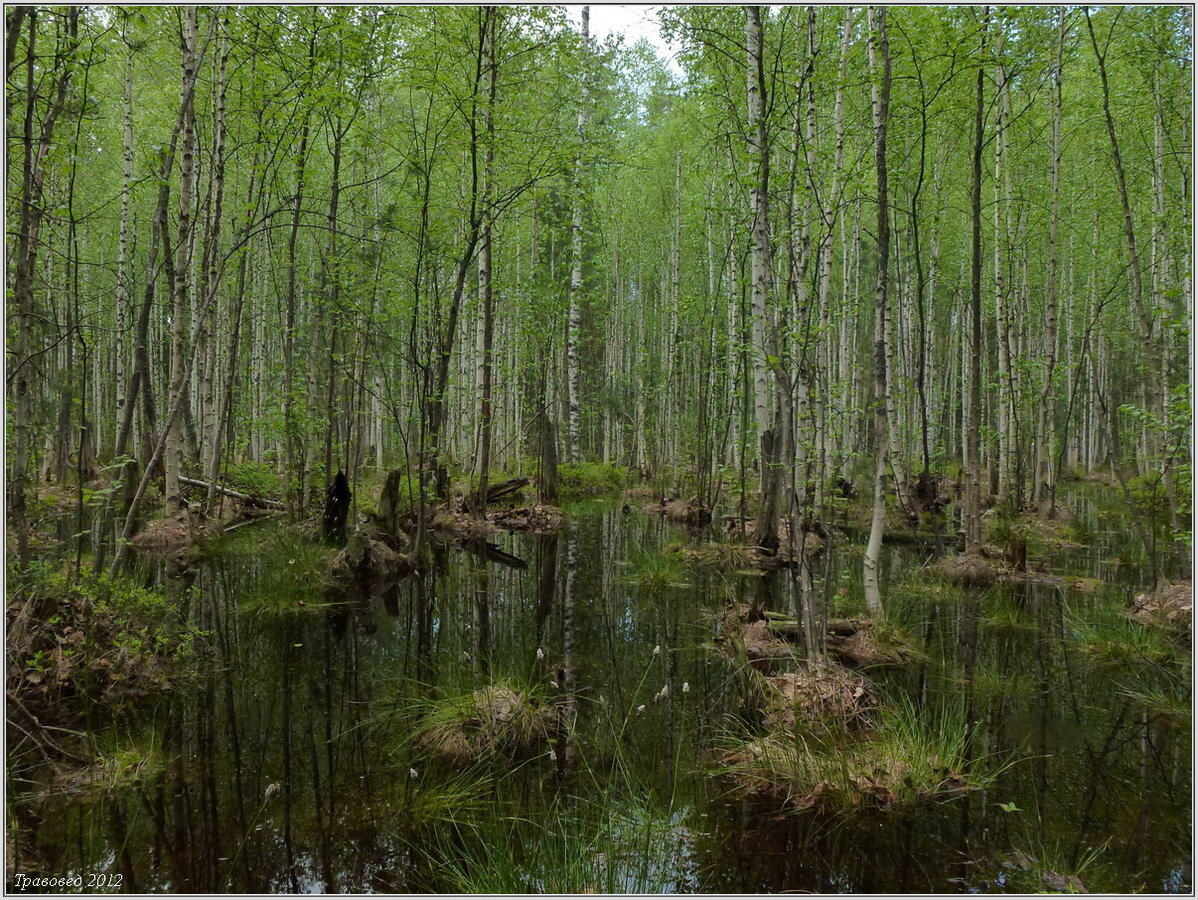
(289, 763)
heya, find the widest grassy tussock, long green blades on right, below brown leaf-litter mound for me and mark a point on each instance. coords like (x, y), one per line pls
(910, 759)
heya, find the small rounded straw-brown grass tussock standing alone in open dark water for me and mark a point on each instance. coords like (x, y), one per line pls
(493, 721)
